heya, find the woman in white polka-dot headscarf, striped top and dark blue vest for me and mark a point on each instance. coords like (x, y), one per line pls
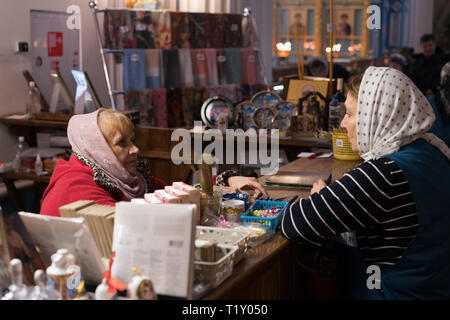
(392, 211)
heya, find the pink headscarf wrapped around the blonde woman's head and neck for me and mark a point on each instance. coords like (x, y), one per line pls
(87, 141)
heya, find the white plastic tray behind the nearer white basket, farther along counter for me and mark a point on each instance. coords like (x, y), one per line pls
(226, 236)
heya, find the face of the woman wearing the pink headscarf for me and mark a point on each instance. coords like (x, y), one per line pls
(126, 152)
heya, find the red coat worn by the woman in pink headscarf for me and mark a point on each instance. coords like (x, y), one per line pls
(73, 180)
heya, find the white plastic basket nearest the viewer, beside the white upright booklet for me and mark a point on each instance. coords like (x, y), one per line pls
(215, 273)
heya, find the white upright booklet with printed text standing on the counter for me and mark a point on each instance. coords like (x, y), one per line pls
(158, 240)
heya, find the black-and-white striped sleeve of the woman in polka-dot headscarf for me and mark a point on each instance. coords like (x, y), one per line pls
(374, 200)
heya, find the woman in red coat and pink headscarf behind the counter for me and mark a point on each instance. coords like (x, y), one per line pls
(104, 166)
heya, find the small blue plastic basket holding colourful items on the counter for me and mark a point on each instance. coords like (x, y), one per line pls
(268, 223)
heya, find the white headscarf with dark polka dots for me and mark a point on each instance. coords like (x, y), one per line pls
(392, 112)
